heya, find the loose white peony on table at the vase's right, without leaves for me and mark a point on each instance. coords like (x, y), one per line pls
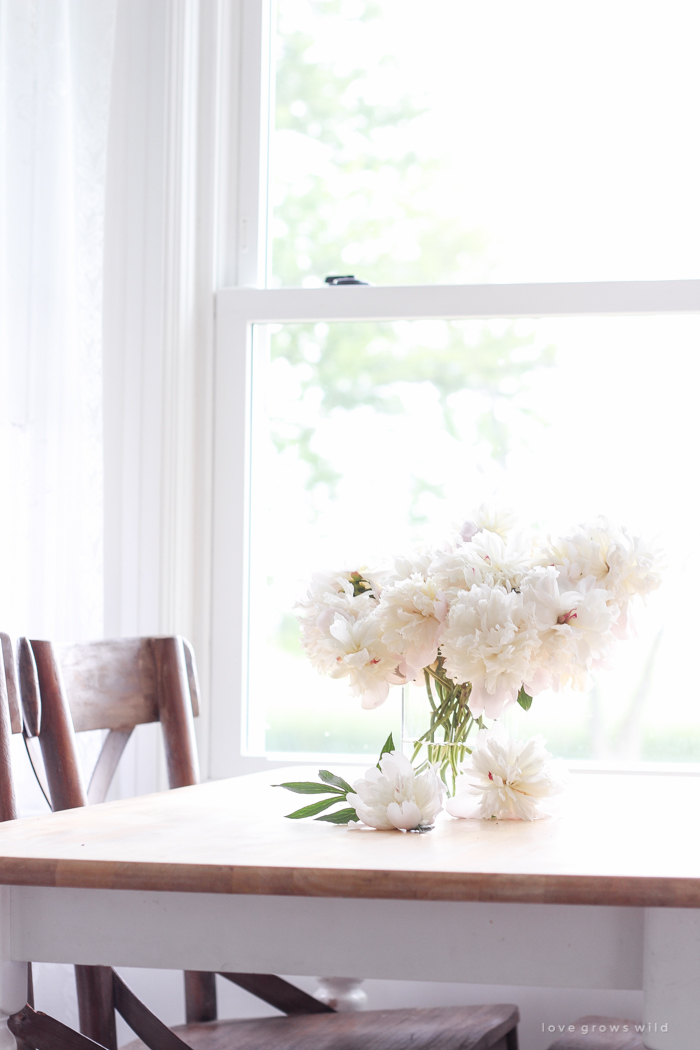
(510, 779)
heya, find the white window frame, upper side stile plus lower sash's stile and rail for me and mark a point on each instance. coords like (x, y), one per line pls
(250, 303)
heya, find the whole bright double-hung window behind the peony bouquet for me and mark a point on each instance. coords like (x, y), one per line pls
(522, 199)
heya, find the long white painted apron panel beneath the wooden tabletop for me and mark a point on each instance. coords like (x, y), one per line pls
(541, 946)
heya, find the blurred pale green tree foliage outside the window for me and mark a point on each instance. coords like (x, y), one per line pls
(342, 211)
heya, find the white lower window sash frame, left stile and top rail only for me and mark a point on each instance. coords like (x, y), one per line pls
(239, 310)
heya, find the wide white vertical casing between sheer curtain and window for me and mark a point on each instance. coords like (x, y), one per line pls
(162, 266)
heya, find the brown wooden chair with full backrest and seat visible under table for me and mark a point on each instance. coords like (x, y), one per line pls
(117, 686)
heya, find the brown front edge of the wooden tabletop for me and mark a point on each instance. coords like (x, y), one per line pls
(487, 887)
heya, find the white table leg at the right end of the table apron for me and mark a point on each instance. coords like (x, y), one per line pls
(672, 979)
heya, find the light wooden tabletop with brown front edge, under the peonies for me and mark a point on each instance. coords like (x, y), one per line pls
(617, 839)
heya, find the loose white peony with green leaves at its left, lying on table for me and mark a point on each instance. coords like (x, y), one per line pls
(395, 796)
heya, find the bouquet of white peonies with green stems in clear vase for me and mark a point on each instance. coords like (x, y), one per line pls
(492, 619)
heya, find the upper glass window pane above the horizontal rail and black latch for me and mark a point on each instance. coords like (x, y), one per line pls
(465, 141)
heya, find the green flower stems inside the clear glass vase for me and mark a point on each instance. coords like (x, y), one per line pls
(443, 744)
